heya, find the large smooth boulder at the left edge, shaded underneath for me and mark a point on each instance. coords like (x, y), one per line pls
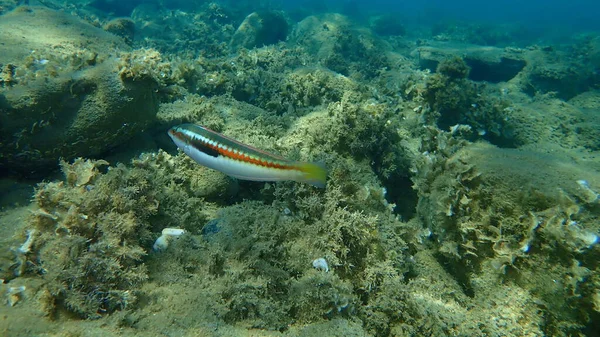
(67, 96)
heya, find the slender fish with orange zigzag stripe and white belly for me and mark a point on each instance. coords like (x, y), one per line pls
(241, 161)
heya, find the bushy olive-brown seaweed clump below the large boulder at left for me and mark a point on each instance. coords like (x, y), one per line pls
(93, 228)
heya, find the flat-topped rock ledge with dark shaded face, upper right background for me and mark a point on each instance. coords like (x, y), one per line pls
(488, 64)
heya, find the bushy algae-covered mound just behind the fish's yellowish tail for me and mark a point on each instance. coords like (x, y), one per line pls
(366, 130)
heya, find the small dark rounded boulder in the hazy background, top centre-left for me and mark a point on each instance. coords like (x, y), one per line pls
(260, 29)
